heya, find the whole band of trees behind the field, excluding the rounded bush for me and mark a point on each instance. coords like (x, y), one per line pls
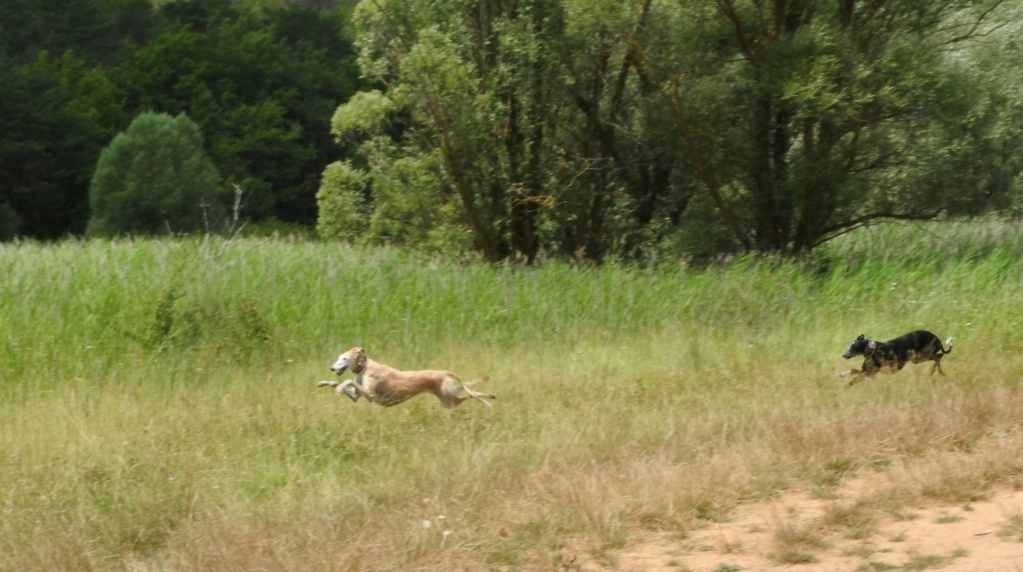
(529, 129)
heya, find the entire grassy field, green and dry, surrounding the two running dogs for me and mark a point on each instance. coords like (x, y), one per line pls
(159, 409)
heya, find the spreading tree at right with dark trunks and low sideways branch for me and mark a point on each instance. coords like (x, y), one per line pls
(807, 120)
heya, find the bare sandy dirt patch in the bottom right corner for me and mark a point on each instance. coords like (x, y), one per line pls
(802, 533)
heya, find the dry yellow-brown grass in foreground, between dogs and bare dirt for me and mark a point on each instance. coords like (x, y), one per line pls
(232, 478)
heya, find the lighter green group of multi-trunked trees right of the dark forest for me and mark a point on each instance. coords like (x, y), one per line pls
(694, 127)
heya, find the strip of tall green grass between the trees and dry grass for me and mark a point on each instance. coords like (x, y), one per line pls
(88, 302)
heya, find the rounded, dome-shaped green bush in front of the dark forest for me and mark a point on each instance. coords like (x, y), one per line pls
(156, 178)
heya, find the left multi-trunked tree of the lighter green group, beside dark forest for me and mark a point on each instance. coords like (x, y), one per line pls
(532, 116)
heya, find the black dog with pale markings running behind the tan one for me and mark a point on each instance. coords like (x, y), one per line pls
(893, 356)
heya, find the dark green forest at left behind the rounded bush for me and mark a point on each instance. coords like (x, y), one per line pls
(260, 78)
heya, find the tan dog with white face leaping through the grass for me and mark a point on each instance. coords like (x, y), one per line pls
(387, 386)
